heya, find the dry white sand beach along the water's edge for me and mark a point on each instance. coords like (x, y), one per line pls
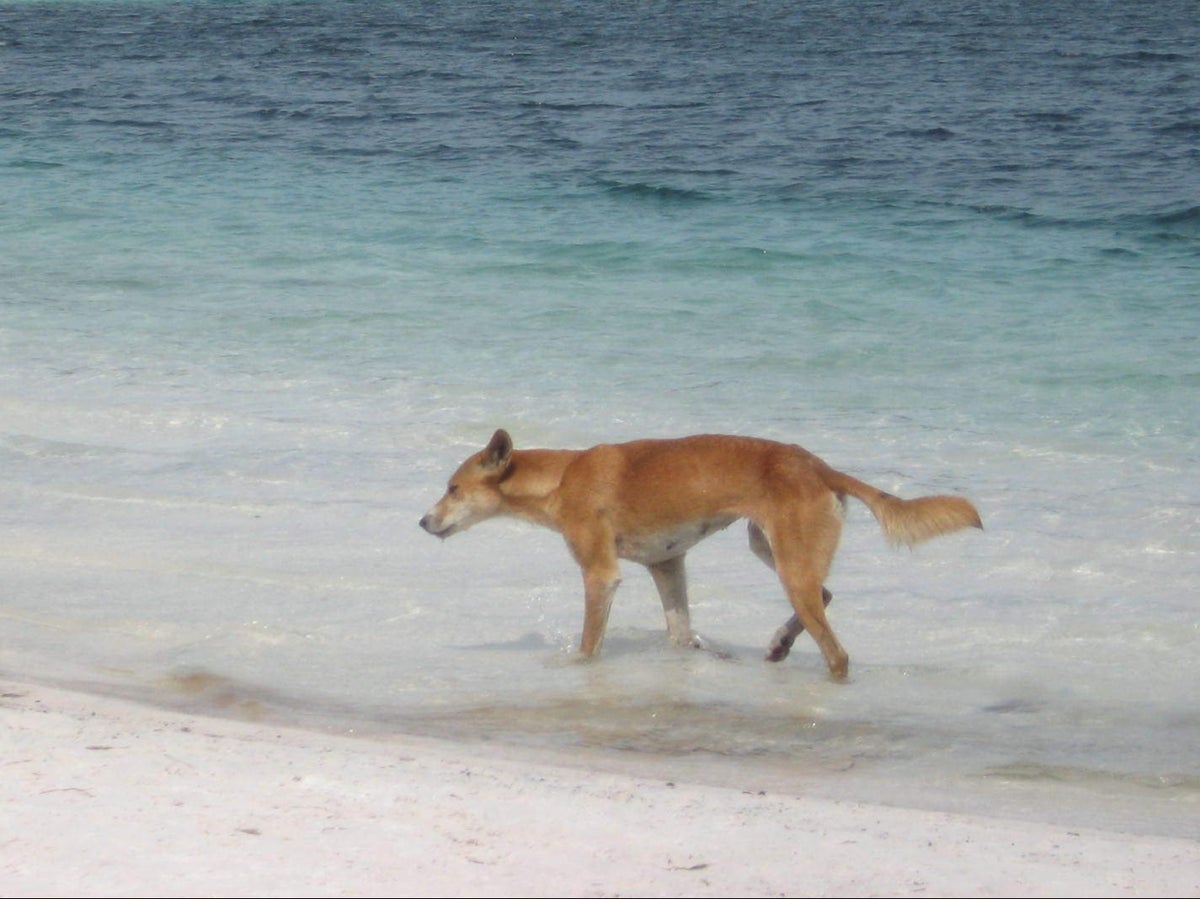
(104, 798)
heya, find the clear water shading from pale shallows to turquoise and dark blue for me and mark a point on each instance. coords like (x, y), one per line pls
(271, 271)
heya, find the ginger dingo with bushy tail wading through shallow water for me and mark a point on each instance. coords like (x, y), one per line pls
(652, 501)
